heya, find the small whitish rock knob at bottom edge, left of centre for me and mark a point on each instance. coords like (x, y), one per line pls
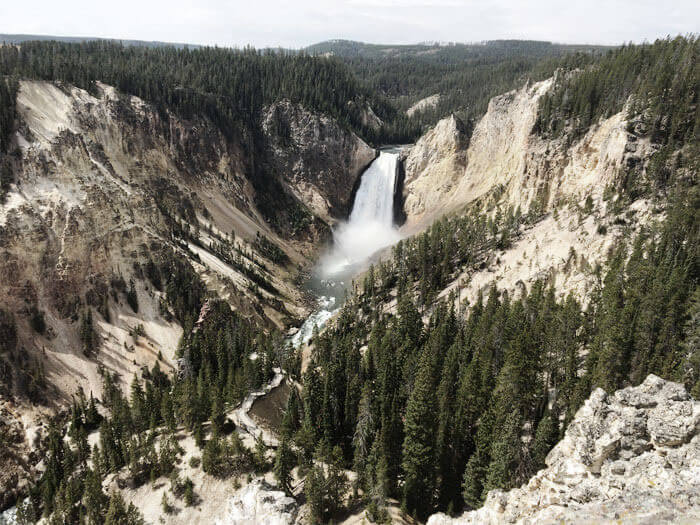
(259, 504)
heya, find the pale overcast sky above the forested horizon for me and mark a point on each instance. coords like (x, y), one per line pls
(297, 23)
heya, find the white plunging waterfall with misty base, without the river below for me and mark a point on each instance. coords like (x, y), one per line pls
(371, 223)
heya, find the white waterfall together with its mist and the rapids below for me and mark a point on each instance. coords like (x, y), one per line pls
(369, 229)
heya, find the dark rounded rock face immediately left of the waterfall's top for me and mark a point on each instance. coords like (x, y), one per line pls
(318, 159)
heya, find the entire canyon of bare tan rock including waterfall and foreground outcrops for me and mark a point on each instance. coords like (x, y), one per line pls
(110, 192)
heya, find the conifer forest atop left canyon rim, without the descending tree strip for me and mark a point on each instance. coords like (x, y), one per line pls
(230, 87)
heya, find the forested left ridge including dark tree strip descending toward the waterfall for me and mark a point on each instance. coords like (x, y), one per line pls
(227, 87)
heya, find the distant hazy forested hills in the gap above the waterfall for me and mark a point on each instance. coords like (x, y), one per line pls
(466, 76)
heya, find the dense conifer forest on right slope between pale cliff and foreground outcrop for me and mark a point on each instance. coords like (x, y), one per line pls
(479, 398)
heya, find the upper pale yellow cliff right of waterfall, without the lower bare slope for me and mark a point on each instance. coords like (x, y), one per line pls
(504, 154)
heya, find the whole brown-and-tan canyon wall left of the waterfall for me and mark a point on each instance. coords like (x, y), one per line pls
(107, 188)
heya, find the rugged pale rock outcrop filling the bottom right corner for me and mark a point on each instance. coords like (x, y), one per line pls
(629, 457)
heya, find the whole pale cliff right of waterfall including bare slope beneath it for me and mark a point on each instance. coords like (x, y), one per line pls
(502, 165)
